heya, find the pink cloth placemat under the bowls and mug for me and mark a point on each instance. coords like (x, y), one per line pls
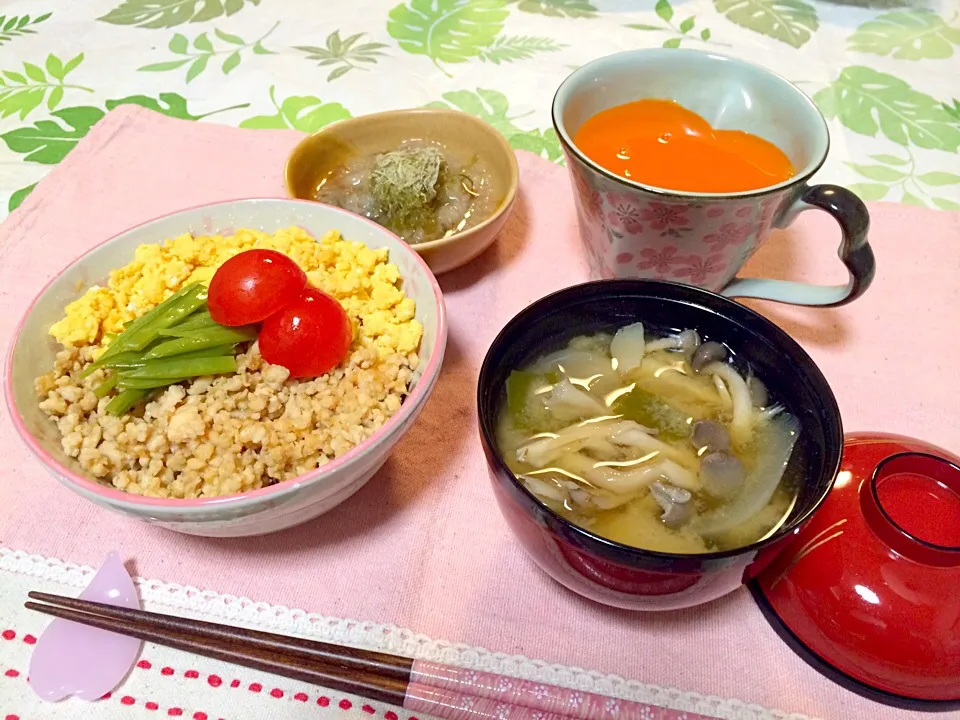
(423, 545)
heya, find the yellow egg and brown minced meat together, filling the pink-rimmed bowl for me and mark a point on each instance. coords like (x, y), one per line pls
(233, 433)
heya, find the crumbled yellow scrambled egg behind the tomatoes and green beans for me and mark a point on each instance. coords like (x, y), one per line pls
(361, 279)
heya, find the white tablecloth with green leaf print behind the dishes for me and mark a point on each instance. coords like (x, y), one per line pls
(884, 72)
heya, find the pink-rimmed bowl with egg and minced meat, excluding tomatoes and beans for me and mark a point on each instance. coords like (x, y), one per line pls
(249, 453)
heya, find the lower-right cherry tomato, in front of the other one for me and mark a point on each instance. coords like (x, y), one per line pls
(309, 337)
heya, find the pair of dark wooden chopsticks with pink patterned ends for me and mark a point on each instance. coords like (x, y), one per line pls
(425, 687)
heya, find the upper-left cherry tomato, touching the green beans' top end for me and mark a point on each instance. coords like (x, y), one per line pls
(252, 285)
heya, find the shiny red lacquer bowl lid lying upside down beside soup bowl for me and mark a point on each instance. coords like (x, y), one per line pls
(868, 591)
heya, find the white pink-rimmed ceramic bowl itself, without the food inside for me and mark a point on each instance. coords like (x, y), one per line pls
(257, 512)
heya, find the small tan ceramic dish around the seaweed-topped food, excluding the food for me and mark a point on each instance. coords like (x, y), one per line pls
(320, 154)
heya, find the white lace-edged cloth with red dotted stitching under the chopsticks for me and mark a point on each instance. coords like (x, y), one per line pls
(23, 572)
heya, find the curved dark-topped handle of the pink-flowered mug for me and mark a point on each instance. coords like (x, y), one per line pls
(855, 252)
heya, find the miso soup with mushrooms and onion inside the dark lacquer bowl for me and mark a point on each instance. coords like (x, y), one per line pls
(657, 442)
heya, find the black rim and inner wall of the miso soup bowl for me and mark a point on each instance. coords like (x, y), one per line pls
(703, 301)
